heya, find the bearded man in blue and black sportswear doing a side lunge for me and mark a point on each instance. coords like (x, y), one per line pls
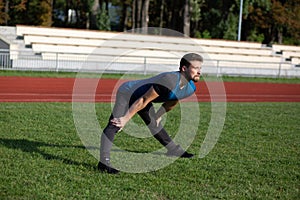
(137, 97)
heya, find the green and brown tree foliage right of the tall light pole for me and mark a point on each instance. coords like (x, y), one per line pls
(277, 20)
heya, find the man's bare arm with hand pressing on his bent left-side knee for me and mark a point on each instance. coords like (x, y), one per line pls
(138, 105)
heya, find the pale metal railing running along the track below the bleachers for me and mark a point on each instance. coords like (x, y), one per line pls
(45, 61)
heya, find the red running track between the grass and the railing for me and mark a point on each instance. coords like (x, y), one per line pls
(28, 89)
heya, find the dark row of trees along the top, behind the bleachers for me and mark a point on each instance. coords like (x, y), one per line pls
(267, 21)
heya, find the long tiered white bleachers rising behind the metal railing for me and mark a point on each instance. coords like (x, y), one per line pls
(74, 44)
